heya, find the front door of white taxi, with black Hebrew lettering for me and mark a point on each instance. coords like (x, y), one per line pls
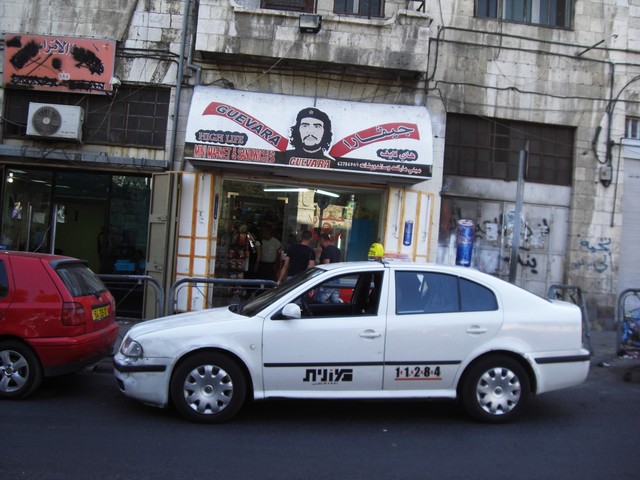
(333, 348)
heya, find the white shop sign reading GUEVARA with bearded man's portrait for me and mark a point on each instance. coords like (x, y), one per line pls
(266, 130)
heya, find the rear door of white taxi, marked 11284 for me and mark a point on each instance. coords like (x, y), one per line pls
(437, 320)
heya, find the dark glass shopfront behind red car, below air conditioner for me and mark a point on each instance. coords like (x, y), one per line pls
(99, 217)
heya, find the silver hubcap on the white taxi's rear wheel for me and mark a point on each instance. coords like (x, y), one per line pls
(498, 391)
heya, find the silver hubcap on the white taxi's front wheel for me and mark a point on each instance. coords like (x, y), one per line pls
(208, 389)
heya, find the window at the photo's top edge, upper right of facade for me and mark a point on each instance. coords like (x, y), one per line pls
(553, 13)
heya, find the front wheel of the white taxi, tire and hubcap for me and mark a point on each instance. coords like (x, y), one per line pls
(208, 388)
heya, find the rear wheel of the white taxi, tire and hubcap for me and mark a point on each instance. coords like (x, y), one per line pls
(495, 389)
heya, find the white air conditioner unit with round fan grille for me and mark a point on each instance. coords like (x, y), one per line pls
(55, 121)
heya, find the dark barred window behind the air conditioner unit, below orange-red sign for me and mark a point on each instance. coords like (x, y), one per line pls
(133, 116)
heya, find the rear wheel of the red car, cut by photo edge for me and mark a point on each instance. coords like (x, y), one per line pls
(20, 370)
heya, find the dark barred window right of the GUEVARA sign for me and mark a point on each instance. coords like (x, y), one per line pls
(490, 148)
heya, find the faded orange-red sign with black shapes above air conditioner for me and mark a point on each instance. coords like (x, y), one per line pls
(42, 62)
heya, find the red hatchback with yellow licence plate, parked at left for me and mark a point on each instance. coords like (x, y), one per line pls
(56, 317)
